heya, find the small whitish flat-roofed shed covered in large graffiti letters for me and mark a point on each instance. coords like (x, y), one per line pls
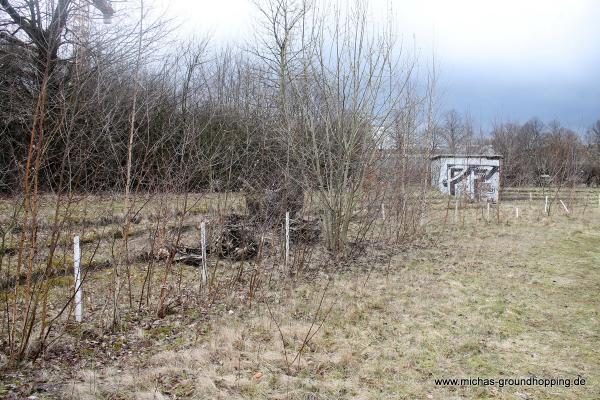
(475, 176)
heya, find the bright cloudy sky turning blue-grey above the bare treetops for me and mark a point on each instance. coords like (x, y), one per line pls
(502, 60)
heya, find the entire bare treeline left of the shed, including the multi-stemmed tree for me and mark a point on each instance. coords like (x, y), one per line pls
(89, 108)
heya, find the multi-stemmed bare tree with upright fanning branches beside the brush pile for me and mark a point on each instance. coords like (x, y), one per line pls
(345, 104)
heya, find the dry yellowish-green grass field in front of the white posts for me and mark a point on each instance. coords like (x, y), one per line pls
(470, 298)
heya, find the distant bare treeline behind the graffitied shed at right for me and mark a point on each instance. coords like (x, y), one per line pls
(535, 153)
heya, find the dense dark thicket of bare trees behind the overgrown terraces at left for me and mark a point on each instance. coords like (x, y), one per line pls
(190, 119)
